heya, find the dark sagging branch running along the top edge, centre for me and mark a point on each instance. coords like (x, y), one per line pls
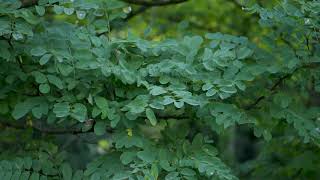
(154, 3)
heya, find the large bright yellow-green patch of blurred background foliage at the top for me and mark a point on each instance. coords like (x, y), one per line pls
(198, 17)
